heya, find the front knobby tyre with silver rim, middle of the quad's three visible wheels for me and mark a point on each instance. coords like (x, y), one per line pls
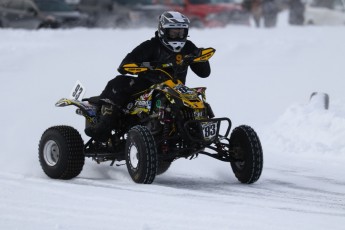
(141, 155)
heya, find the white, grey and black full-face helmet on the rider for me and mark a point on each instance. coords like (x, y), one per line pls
(173, 30)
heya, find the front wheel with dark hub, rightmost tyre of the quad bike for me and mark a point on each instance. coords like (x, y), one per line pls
(246, 148)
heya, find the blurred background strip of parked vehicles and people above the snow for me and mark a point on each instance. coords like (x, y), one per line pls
(37, 14)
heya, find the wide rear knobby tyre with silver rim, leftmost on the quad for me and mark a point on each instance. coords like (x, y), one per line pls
(61, 153)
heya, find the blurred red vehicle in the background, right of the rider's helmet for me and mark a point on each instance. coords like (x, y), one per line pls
(210, 13)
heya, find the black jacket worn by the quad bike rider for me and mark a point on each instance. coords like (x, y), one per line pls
(154, 51)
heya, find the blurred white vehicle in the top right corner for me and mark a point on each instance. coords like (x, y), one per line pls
(325, 12)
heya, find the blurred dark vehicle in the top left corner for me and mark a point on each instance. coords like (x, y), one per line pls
(24, 14)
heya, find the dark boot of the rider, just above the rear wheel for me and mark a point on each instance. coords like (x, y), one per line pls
(102, 130)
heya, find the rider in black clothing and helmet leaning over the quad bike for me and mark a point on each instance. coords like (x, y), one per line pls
(168, 45)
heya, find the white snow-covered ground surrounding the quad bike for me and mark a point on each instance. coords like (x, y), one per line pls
(260, 77)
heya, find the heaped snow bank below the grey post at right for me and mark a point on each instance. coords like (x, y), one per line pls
(308, 129)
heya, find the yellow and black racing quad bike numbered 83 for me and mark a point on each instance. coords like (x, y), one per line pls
(166, 122)
